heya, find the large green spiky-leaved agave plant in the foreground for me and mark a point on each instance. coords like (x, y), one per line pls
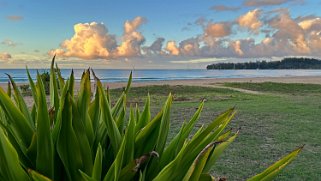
(85, 137)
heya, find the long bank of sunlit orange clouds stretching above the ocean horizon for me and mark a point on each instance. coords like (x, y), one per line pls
(282, 34)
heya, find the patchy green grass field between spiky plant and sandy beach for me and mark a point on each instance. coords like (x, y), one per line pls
(272, 124)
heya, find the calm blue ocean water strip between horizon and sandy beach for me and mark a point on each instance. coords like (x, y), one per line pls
(111, 75)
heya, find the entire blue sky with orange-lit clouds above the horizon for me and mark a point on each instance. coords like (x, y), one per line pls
(162, 34)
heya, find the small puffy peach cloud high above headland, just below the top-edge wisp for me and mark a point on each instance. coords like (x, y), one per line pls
(251, 20)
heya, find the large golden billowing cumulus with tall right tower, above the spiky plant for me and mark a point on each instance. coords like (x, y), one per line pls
(92, 41)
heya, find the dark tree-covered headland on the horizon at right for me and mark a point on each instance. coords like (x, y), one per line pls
(286, 63)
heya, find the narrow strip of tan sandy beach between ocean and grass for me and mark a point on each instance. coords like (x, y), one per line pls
(206, 82)
